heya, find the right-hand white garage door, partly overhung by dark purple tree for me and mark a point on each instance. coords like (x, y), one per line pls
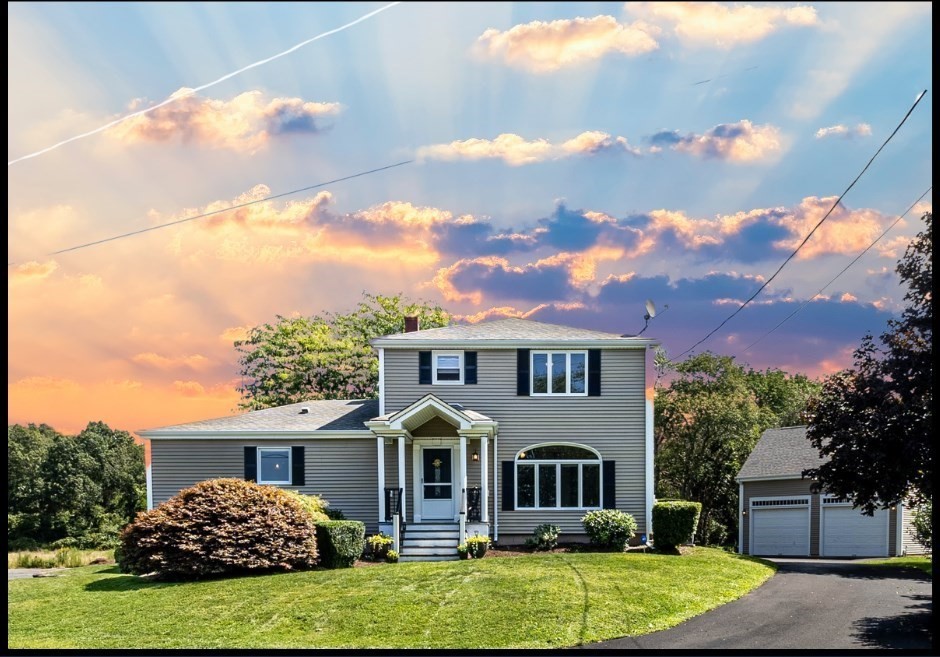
(847, 533)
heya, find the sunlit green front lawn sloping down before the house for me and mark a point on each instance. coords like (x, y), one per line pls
(535, 601)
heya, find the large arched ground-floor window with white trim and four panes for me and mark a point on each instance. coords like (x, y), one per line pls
(559, 476)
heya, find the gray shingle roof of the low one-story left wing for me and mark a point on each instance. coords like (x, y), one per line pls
(323, 415)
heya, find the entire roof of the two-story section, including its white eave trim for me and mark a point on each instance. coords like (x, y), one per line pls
(512, 330)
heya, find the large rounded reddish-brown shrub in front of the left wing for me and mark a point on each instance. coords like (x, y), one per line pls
(220, 526)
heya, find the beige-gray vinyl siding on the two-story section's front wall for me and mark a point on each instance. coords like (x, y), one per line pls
(613, 424)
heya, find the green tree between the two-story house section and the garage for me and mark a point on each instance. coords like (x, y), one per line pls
(708, 419)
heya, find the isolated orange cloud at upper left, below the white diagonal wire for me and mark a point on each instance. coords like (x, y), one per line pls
(245, 123)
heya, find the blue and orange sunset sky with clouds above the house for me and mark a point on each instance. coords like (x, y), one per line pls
(570, 161)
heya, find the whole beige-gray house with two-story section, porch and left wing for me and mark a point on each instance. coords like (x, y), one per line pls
(491, 428)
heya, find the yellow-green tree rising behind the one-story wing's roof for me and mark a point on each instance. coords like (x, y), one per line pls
(324, 357)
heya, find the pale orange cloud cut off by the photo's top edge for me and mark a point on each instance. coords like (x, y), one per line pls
(720, 25)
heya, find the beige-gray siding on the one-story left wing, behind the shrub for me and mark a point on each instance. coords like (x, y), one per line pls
(344, 471)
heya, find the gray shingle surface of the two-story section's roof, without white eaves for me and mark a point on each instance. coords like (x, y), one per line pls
(505, 329)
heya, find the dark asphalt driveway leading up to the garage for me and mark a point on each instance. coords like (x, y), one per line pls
(811, 604)
